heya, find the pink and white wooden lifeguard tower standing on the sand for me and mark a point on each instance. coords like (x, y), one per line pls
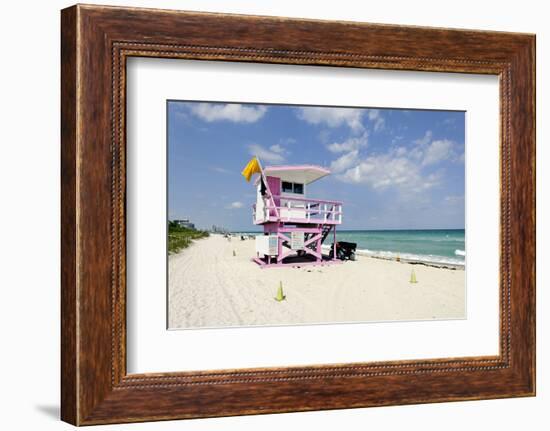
(295, 226)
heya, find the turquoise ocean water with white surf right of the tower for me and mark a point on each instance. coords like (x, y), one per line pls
(440, 246)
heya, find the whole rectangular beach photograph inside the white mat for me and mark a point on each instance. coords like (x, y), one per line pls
(299, 215)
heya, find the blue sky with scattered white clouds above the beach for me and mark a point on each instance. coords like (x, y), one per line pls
(392, 168)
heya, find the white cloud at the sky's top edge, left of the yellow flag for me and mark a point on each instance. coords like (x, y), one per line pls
(234, 112)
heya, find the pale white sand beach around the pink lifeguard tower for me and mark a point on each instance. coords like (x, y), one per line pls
(210, 287)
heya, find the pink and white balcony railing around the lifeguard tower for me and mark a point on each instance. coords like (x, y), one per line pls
(298, 210)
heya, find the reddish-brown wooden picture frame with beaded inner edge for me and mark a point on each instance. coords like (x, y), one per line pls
(95, 43)
